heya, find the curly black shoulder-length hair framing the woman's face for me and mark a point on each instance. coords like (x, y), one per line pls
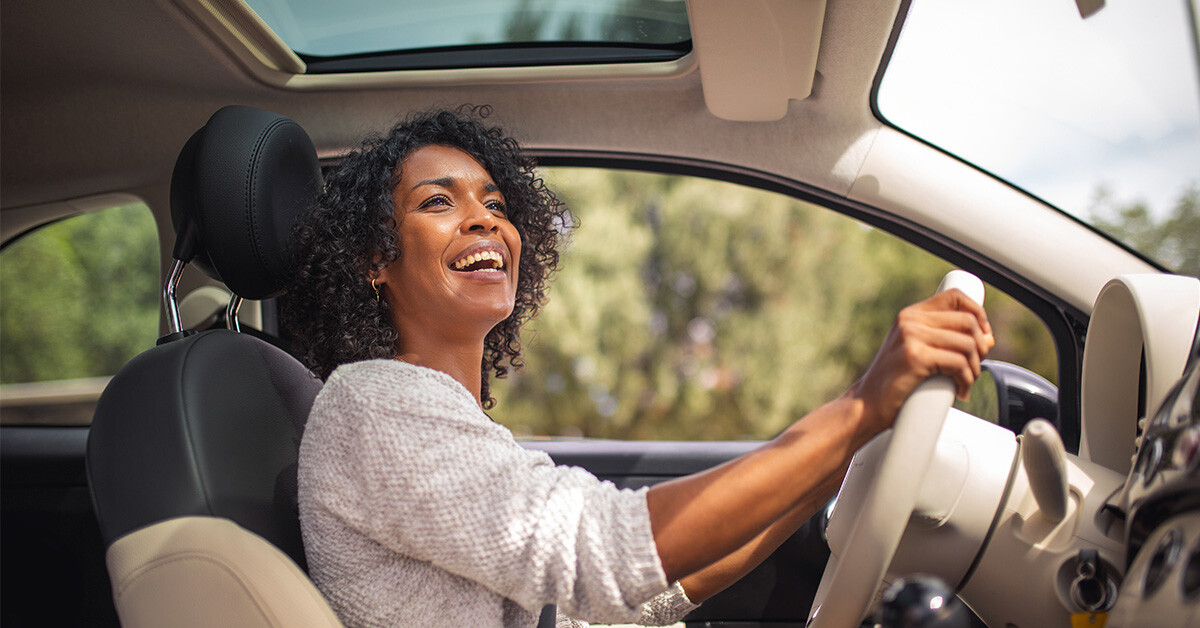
(332, 310)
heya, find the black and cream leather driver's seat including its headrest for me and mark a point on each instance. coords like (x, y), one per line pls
(193, 452)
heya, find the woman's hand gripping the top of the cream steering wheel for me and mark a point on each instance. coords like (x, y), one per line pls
(947, 334)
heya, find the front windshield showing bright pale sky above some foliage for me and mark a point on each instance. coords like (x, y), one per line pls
(1099, 116)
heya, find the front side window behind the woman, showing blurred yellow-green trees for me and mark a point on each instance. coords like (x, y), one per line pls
(691, 309)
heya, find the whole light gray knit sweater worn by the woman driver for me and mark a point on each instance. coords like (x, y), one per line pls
(418, 510)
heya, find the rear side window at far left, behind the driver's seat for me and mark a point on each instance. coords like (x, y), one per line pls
(79, 298)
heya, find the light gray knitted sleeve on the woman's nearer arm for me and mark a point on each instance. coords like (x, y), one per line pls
(419, 469)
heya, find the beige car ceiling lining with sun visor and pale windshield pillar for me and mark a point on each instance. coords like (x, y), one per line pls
(99, 99)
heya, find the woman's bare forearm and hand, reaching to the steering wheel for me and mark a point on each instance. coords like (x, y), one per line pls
(731, 511)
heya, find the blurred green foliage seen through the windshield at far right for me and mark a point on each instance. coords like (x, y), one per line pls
(1173, 241)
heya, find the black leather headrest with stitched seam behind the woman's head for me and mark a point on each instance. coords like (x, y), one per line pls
(239, 186)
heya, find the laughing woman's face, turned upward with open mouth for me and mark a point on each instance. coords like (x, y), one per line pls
(458, 268)
